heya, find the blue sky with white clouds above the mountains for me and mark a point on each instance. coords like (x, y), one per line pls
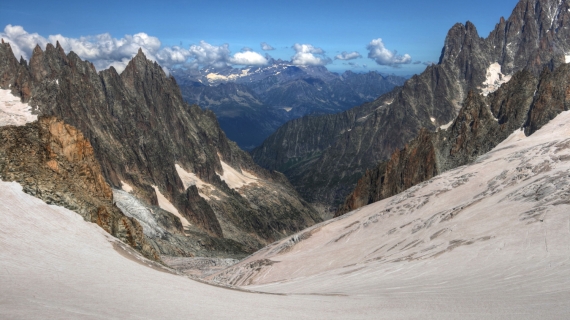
(399, 37)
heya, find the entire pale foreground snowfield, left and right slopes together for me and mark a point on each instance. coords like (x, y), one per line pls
(486, 241)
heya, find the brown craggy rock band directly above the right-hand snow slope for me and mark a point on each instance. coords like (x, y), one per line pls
(524, 103)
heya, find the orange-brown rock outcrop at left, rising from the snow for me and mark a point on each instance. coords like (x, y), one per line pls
(54, 162)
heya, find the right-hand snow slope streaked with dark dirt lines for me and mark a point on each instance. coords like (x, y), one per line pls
(489, 239)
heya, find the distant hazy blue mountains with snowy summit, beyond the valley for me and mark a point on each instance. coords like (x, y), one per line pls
(251, 103)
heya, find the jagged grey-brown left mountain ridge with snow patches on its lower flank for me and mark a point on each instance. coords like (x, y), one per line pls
(141, 131)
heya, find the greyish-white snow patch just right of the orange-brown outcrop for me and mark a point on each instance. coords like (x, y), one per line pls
(133, 208)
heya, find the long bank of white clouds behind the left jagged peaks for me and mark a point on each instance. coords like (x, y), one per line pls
(105, 51)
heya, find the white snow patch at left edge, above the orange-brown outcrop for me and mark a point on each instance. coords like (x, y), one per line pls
(13, 112)
